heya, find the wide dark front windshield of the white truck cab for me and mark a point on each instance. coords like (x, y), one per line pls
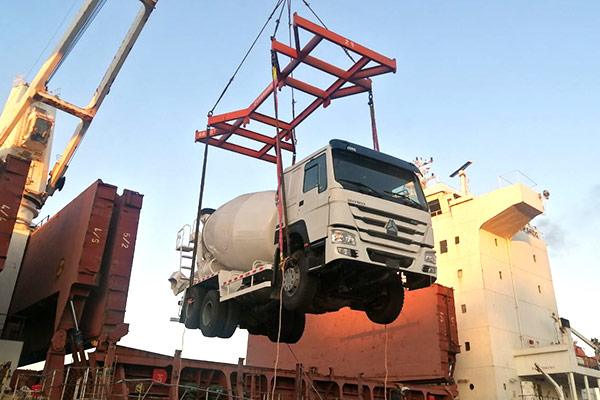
(366, 175)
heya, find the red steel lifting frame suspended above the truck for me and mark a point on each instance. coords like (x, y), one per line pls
(221, 127)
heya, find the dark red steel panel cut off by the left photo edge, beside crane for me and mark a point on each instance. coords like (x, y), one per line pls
(13, 176)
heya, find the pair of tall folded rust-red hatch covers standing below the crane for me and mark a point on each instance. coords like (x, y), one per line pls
(76, 265)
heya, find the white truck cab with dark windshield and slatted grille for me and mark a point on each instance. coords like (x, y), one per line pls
(361, 220)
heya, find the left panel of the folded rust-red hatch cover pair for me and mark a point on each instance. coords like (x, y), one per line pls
(67, 250)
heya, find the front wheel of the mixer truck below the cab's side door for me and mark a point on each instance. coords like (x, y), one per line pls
(299, 287)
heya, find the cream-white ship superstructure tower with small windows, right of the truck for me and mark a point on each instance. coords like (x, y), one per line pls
(508, 322)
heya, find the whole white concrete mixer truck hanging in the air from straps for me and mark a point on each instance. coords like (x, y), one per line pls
(359, 234)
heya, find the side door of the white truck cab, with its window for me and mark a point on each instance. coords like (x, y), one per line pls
(313, 201)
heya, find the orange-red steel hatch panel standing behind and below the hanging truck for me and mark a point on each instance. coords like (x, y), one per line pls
(422, 343)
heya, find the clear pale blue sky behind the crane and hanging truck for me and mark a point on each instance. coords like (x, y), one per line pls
(511, 85)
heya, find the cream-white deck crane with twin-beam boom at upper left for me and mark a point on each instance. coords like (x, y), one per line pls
(27, 129)
